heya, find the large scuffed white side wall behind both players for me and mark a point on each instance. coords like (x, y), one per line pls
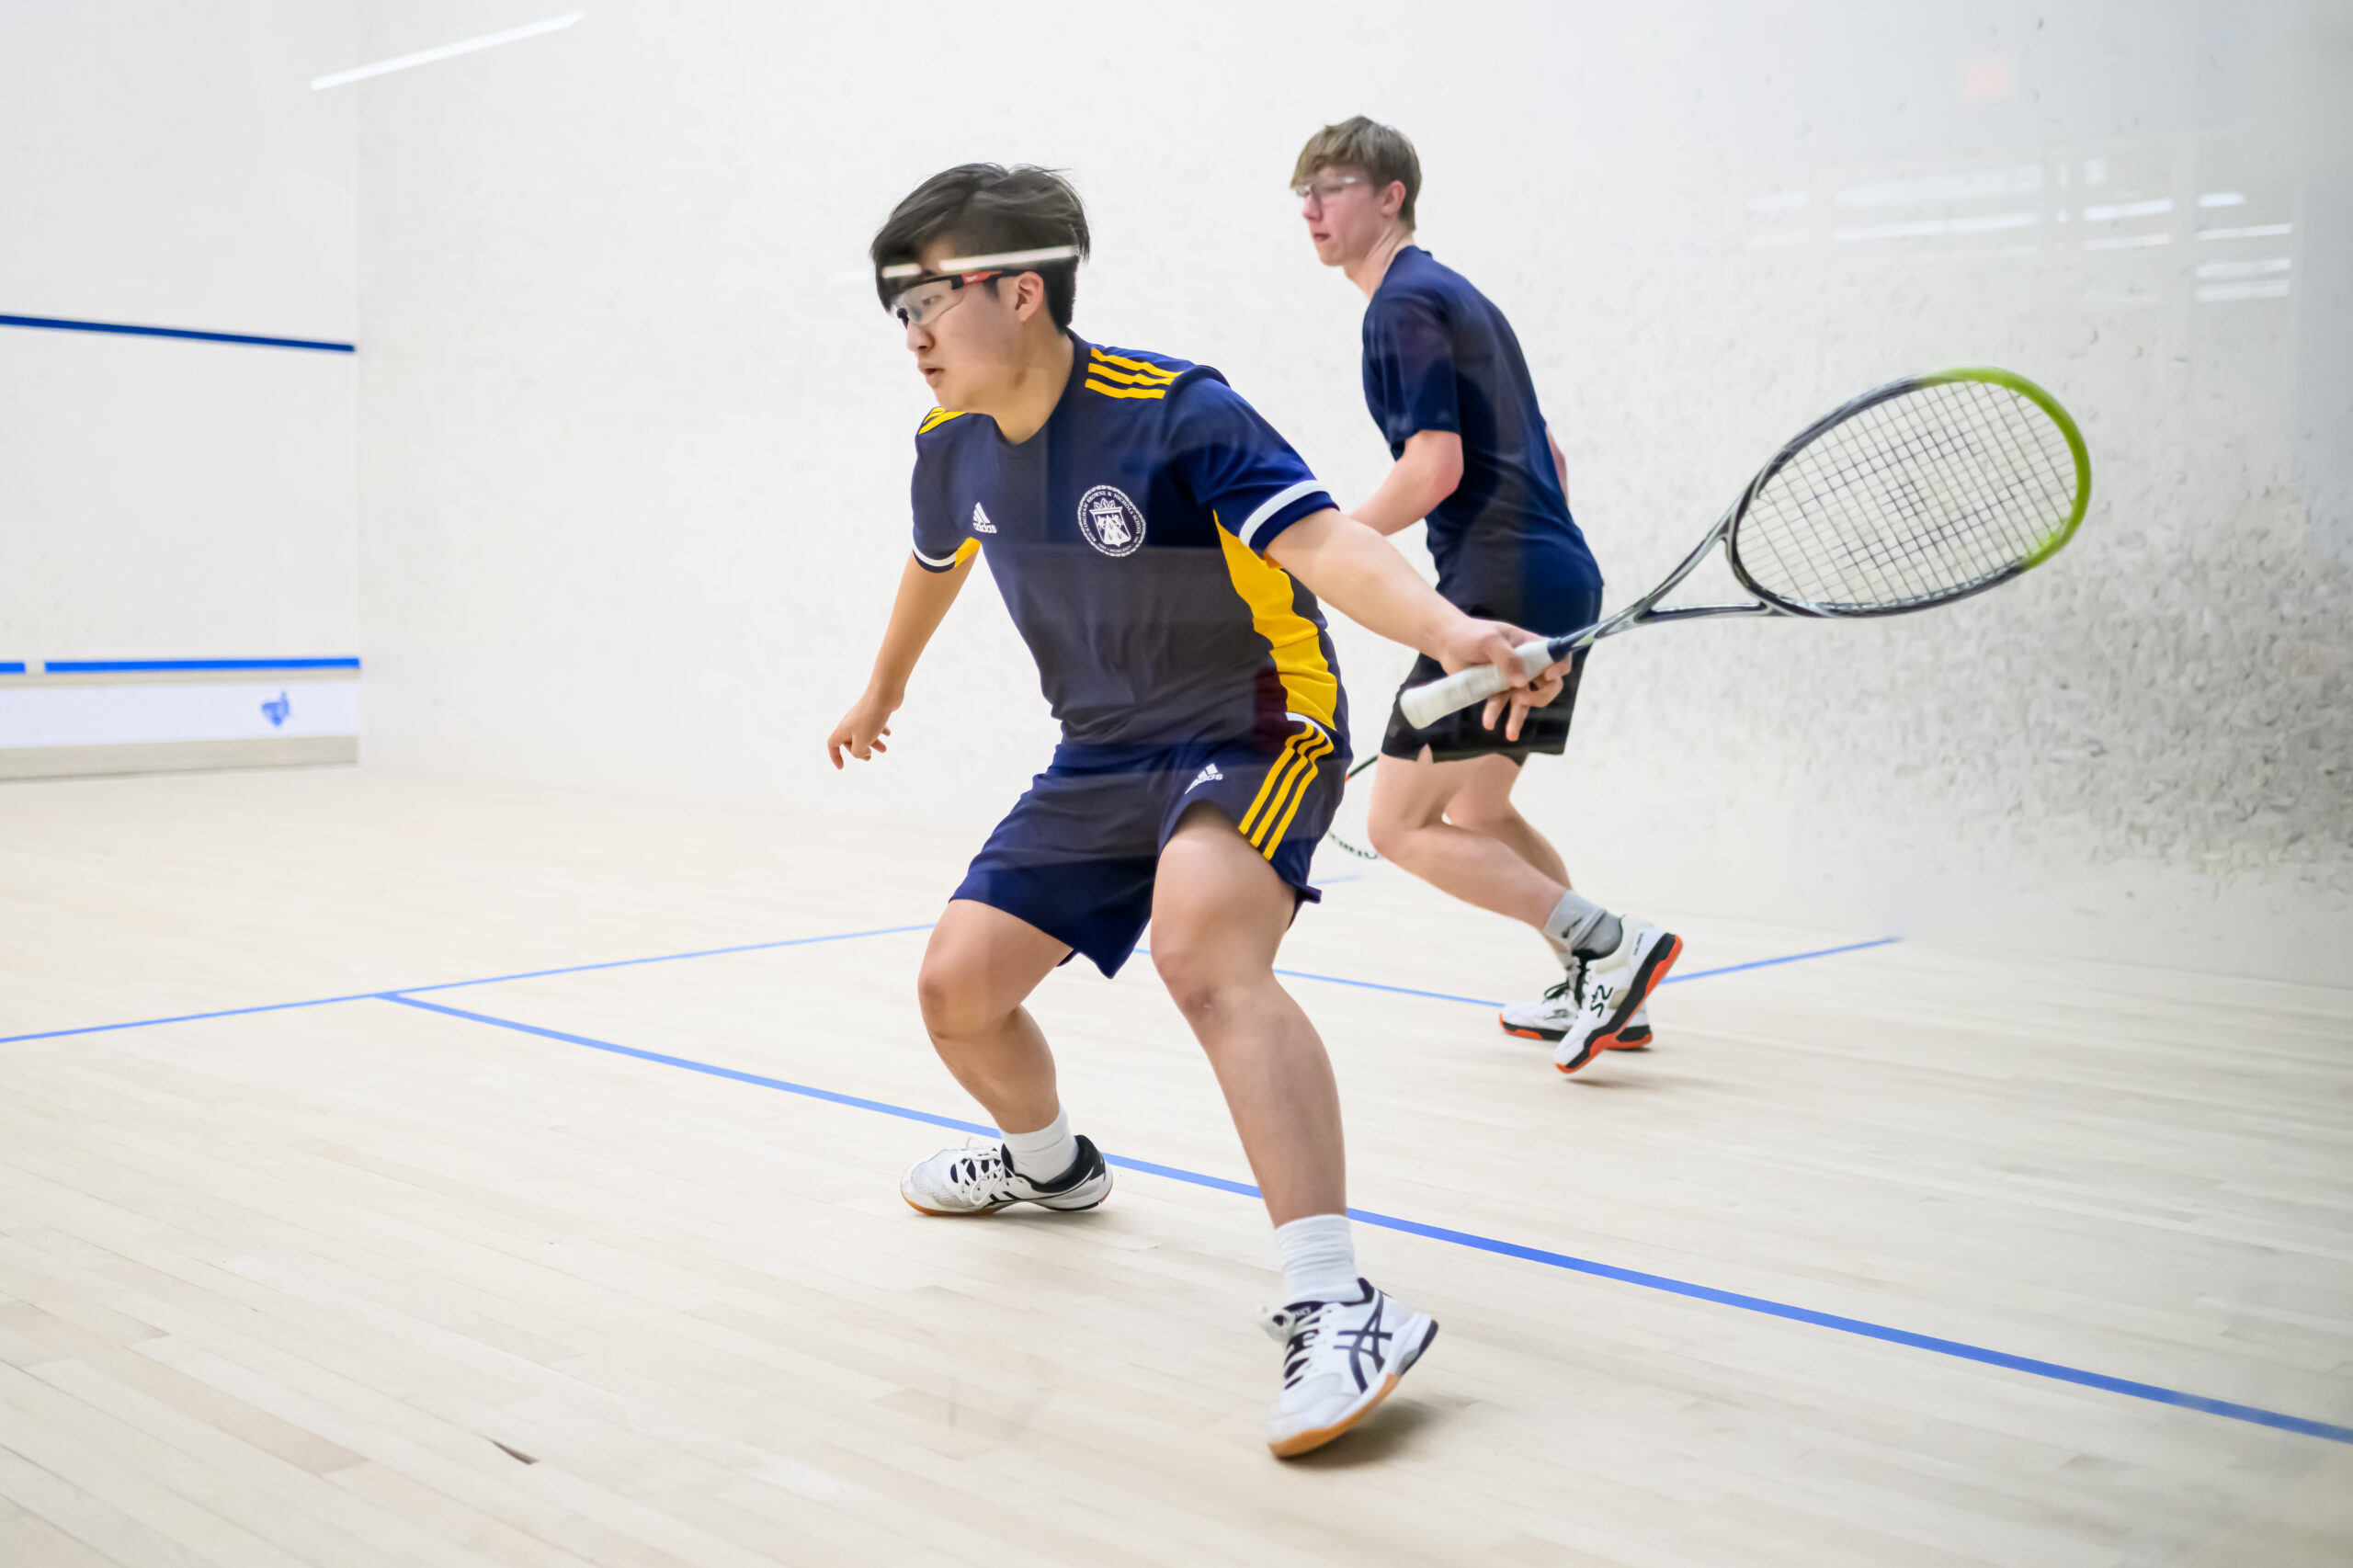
(636, 434)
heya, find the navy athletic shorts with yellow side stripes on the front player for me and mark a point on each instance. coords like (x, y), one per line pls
(1079, 853)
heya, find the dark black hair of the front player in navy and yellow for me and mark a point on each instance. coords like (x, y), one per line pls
(985, 208)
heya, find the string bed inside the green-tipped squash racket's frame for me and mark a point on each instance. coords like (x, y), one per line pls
(1921, 498)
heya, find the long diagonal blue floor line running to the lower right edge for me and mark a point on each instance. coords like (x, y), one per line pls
(1505, 1249)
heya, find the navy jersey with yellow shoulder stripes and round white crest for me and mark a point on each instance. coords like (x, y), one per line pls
(1128, 538)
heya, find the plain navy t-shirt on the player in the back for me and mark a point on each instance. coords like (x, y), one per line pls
(1439, 357)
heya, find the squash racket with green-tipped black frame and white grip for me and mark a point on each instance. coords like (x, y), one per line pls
(1912, 496)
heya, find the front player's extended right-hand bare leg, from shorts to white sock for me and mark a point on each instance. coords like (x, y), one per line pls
(1218, 919)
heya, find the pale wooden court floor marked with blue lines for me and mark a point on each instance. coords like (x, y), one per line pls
(1884, 1256)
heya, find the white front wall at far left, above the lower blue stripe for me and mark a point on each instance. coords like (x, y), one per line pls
(159, 498)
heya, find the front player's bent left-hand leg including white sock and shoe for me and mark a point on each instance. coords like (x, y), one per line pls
(978, 971)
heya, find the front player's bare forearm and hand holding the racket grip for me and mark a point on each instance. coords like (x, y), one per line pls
(1361, 576)
